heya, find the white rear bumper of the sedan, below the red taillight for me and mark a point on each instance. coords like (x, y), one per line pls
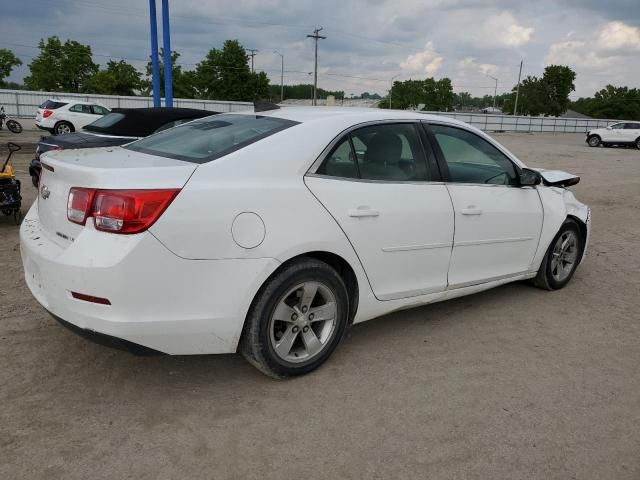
(157, 300)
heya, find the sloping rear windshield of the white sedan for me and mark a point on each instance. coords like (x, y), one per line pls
(209, 138)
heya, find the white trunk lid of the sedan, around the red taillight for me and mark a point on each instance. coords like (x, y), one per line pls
(104, 168)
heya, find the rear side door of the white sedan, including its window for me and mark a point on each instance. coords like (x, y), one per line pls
(380, 185)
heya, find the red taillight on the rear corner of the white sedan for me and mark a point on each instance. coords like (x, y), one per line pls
(118, 211)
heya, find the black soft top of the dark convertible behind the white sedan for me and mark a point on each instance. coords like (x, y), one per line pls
(140, 122)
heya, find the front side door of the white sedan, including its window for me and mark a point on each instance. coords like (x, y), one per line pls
(497, 222)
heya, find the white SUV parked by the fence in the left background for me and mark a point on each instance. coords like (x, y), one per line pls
(64, 115)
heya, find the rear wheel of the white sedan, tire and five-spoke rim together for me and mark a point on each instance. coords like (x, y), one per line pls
(283, 335)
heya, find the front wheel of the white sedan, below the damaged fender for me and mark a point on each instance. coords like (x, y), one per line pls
(561, 261)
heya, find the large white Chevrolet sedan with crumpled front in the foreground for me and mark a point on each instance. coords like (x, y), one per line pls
(269, 233)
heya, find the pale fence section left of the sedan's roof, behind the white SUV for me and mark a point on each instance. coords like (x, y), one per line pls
(23, 103)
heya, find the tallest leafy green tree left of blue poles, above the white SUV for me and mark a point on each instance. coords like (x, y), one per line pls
(61, 66)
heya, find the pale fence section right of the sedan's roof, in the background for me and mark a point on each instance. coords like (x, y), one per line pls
(511, 123)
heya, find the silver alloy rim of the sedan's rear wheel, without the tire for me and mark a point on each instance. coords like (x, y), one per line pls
(303, 322)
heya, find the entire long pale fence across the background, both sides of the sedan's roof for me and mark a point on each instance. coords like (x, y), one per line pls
(22, 103)
